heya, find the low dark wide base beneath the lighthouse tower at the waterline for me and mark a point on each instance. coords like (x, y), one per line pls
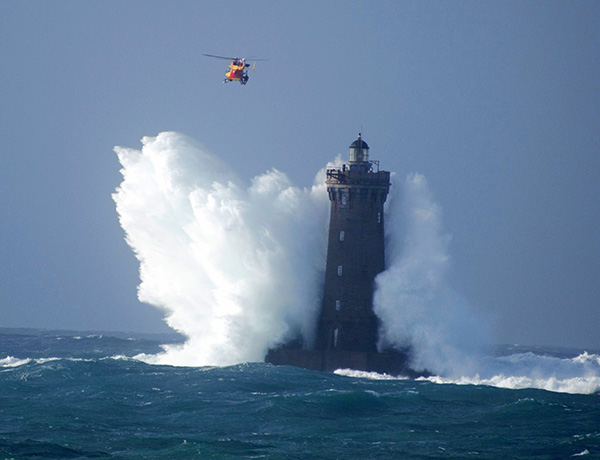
(391, 363)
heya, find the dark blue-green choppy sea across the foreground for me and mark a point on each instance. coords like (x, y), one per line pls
(69, 395)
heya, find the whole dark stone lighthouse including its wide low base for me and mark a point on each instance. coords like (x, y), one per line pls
(347, 326)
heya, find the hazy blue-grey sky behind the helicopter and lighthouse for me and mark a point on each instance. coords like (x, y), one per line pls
(497, 104)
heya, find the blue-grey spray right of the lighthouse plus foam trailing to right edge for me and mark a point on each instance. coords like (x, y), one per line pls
(419, 309)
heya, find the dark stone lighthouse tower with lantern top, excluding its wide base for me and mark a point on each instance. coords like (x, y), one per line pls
(355, 252)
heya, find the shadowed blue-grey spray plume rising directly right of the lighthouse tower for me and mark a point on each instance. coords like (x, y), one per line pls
(416, 306)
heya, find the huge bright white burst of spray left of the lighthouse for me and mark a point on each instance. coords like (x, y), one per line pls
(236, 269)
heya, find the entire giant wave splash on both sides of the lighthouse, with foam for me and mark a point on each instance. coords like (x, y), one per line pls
(238, 269)
